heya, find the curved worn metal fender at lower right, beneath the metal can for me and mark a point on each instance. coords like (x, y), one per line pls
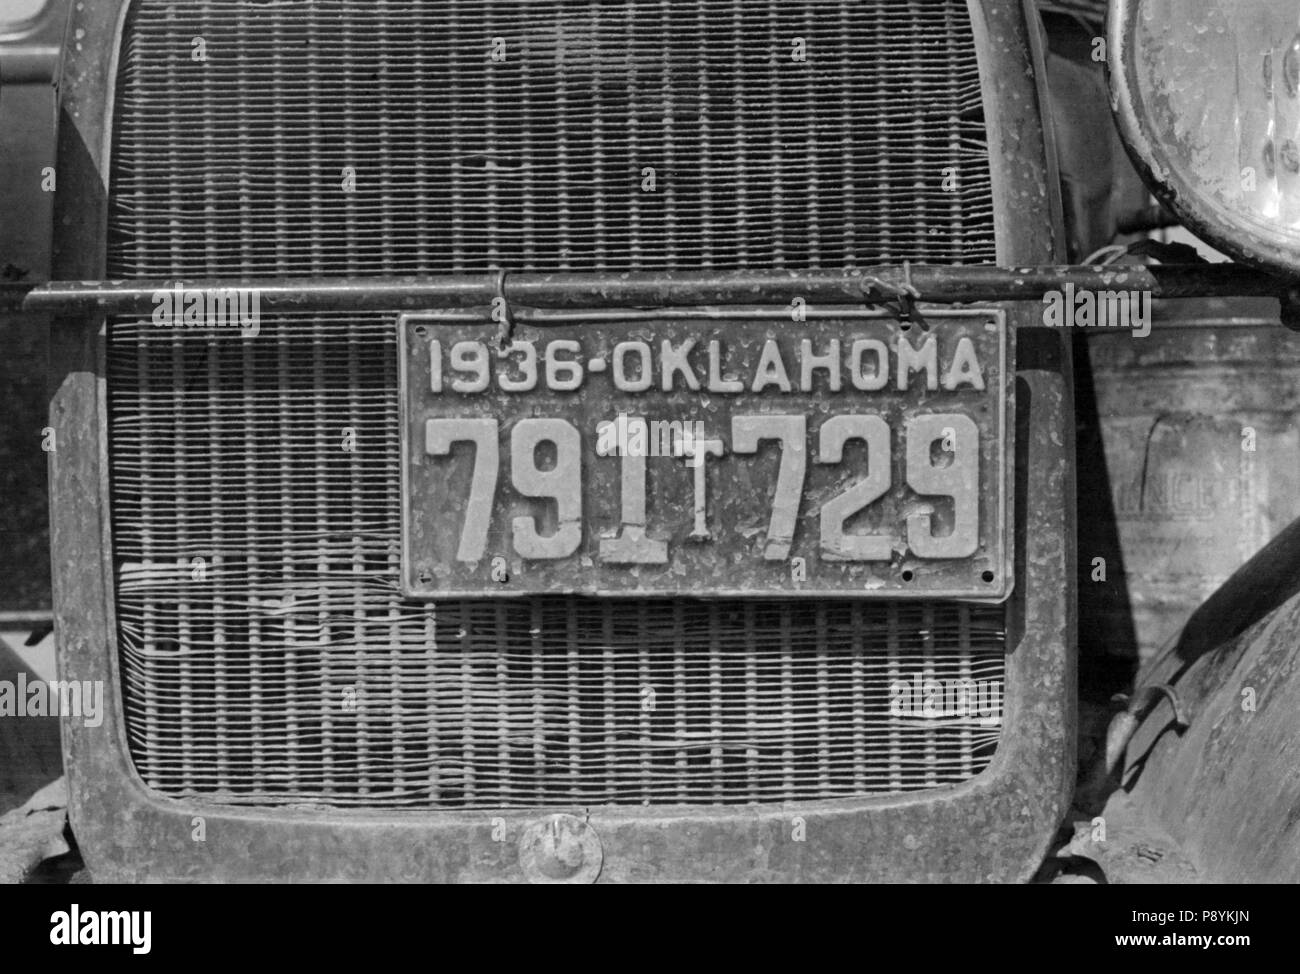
(1214, 763)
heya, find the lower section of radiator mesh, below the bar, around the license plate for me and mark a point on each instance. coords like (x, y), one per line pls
(268, 657)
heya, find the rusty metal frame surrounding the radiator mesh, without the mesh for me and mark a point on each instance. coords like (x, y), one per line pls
(994, 829)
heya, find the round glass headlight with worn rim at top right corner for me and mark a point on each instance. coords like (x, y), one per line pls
(1207, 94)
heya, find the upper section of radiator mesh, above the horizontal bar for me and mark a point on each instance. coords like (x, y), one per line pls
(872, 149)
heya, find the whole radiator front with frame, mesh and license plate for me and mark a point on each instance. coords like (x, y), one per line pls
(371, 598)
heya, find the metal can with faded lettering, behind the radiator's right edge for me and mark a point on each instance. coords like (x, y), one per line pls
(1202, 467)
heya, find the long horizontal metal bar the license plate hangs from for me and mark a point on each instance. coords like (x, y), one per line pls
(885, 285)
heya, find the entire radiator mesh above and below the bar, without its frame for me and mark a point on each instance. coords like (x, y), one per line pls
(267, 655)
